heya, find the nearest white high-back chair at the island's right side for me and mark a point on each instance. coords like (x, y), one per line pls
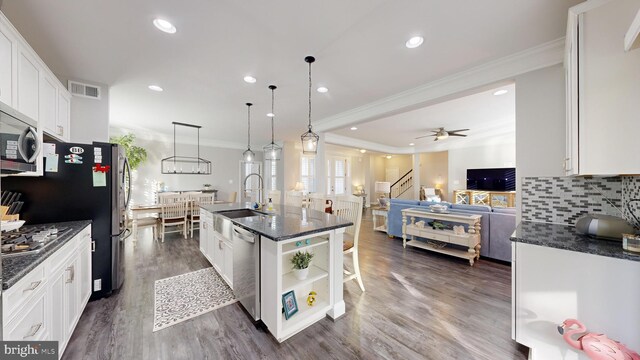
(349, 207)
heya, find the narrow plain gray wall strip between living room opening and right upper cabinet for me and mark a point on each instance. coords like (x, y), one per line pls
(540, 125)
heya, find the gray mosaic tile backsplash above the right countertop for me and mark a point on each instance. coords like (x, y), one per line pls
(562, 200)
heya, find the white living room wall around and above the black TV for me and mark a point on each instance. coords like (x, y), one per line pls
(490, 156)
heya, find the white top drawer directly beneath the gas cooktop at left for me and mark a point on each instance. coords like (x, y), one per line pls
(22, 291)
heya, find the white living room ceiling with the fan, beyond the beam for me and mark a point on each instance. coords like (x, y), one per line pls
(489, 118)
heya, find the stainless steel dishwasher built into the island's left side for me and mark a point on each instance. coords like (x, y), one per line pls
(246, 270)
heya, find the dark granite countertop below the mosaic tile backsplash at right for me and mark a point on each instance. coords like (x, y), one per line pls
(565, 237)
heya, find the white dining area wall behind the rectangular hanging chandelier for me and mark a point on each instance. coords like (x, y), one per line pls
(224, 175)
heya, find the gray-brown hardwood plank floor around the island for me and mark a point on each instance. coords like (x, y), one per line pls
(418, 305)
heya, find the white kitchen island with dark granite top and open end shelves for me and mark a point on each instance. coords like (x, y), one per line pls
(279, 234)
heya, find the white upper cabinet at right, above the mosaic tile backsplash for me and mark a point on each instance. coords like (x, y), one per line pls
(603, 88)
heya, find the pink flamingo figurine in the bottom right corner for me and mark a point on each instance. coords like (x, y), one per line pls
(596, 346)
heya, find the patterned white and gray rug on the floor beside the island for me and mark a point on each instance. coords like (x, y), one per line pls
(186, 296)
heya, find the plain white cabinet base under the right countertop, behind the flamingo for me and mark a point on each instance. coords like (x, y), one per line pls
(552, 285)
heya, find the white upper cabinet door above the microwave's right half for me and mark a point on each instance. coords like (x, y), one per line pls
(28, 81)
